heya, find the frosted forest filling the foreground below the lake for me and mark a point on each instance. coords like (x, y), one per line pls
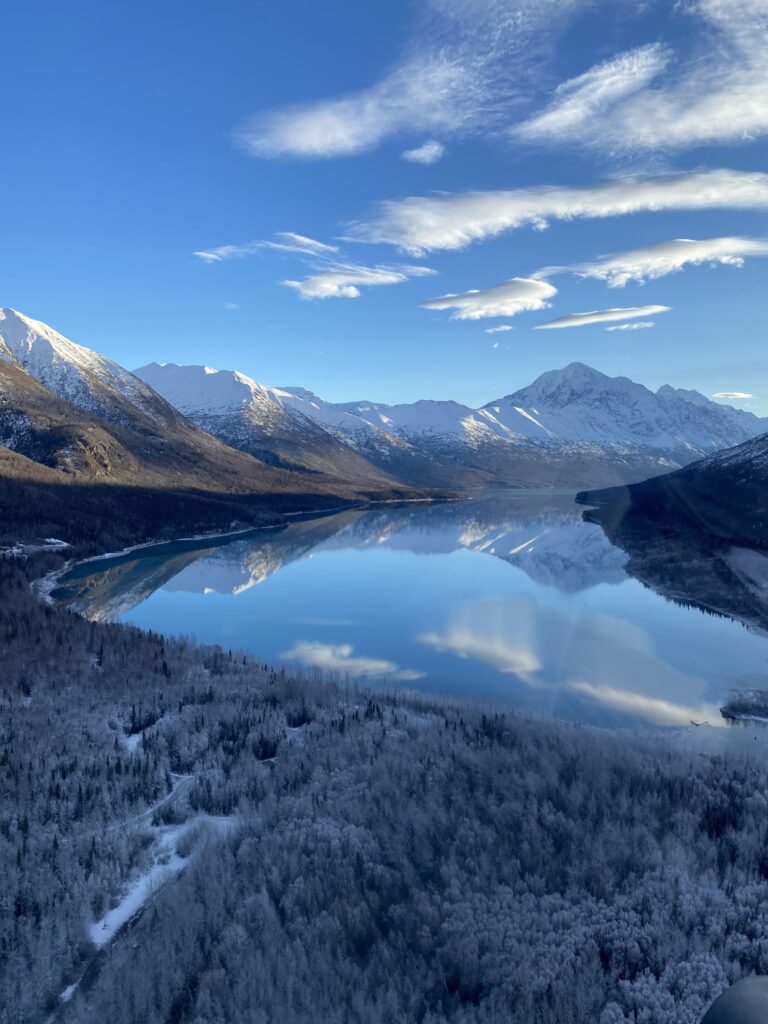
(190, 838)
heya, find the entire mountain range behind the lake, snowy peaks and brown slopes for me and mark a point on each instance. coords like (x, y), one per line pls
(69, 413)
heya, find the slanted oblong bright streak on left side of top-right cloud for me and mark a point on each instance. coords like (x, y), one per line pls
(579, 101)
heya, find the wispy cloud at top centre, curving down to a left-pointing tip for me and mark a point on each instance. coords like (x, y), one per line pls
(460, 74)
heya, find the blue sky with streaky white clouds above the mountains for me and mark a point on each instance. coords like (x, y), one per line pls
(138, 136)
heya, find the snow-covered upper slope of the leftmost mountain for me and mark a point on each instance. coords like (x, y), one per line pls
(75, 373)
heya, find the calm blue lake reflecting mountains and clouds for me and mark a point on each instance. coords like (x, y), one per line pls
(511, 600)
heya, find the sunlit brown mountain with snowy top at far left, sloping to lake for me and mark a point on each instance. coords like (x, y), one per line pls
(68, 408)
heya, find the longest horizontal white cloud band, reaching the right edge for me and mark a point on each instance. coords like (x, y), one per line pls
(418, 225)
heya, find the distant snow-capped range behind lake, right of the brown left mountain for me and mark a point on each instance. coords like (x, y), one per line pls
(574, 426)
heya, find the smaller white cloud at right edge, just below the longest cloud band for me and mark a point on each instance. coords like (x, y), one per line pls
(668, 258)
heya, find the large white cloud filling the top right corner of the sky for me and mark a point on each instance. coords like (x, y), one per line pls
(716, 93)
